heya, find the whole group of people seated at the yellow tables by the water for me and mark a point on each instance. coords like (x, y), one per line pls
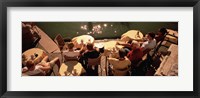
(129, 56)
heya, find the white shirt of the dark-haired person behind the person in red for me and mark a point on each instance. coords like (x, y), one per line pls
(149, 44)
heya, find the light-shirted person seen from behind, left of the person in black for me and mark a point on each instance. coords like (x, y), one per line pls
(71, 52)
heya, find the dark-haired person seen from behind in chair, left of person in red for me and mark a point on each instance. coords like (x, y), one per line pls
(120, 65)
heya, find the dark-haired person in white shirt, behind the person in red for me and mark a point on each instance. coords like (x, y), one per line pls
(149, 44)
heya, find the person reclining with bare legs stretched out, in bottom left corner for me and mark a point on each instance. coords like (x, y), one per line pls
(41, 68)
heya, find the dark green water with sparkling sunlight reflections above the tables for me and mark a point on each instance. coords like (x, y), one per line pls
(108, 29)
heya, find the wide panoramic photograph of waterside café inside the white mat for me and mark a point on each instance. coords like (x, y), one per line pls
(99, 48)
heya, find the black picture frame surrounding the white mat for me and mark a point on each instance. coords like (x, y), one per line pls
(100, 3)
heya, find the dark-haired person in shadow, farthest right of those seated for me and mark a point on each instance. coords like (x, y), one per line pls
(161, 34)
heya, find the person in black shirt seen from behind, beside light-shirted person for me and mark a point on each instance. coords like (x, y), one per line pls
(89, 53)
